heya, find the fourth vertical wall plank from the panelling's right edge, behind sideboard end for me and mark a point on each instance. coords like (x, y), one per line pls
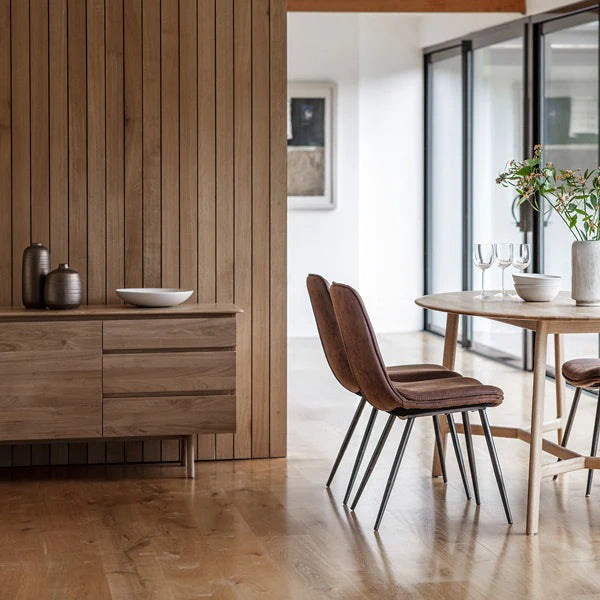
(224, 175)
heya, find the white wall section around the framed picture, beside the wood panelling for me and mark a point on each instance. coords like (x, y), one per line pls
(325, 48)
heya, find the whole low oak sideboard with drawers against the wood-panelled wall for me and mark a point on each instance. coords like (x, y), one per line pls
(118, 372)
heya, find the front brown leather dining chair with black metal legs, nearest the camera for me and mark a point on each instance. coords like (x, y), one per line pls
(408, 400)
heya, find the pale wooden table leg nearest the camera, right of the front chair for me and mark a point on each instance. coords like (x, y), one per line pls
(537, 429)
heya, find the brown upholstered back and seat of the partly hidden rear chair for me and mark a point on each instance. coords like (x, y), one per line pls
(333, 345)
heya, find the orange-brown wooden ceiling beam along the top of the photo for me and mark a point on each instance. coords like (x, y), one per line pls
(414, 6)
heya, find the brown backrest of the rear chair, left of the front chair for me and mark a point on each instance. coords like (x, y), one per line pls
(329, 332)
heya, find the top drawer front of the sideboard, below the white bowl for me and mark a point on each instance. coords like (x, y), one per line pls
(156, 334)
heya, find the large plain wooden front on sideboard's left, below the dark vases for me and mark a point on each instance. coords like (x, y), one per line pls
(50, 380)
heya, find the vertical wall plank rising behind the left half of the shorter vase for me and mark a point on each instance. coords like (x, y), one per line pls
(59, 132)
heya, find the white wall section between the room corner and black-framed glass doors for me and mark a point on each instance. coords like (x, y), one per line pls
(391, 170)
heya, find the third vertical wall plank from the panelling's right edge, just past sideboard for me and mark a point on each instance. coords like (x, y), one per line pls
(243, 222)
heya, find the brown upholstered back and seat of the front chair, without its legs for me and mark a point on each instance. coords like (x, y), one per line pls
(373, 380)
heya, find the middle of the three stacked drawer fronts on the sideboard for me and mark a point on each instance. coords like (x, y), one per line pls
(168, 372)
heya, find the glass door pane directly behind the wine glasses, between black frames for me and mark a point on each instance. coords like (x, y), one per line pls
(497, 138)
